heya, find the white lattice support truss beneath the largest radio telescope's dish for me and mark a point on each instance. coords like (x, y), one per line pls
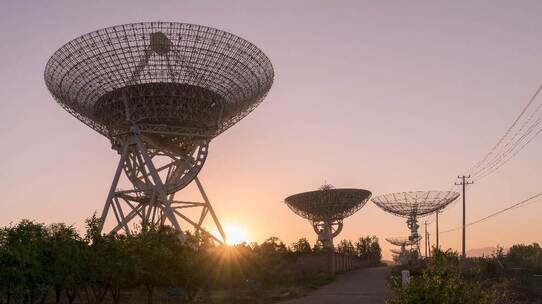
(150, 201)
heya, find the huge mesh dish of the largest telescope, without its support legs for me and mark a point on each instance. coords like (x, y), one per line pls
(174, 81)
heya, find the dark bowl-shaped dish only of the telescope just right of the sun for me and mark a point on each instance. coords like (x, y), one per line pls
(328, 204)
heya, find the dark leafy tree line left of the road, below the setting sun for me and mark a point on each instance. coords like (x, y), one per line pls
(53, 263)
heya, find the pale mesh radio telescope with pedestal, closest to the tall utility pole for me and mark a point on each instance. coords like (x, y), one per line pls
(413, 205)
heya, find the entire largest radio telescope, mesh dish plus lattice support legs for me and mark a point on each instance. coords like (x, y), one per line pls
(160, 92)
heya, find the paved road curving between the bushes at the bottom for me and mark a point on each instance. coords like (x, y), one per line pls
(362, 286)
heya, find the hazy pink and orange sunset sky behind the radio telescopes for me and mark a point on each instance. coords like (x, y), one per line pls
(384, 96)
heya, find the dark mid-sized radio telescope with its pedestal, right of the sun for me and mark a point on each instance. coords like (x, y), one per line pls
(326, 208)
